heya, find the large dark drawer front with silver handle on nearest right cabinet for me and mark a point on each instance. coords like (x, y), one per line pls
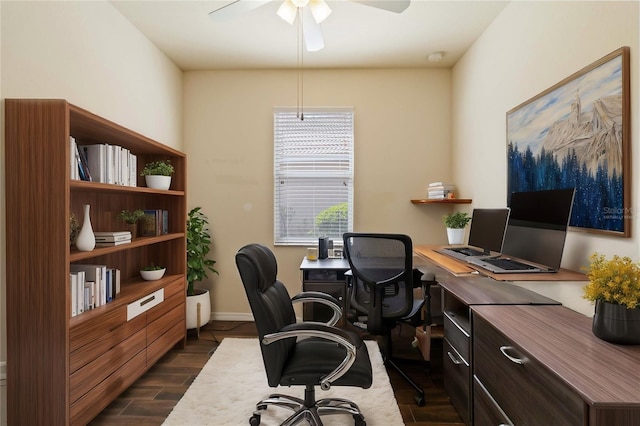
(526, 391)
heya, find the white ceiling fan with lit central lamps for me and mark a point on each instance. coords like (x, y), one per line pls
(312, 13)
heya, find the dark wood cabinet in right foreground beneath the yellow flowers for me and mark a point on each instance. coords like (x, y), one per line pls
(543, 365)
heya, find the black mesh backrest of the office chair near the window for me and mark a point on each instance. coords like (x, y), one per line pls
(382, 268)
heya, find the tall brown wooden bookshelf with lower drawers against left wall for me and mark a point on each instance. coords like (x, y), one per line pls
(64, 370)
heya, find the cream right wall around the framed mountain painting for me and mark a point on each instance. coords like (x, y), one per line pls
(530, 47)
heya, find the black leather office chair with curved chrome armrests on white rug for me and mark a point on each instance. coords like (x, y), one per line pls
(306, 353)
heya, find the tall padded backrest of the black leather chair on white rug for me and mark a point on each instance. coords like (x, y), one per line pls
(270, 304)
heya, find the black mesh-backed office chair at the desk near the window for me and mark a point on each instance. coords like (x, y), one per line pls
(383, 280)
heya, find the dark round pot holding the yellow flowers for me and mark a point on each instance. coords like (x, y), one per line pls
(616, 323)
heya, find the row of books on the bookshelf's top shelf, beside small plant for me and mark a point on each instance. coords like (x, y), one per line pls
(103, 163)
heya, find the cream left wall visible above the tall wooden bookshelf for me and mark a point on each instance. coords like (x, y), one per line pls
(87, 53)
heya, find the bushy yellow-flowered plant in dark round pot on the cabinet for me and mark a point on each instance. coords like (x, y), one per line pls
(614, 286)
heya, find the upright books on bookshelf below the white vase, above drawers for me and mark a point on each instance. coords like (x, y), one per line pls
(92, 286)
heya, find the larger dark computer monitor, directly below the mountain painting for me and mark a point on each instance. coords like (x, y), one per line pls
(538, 225)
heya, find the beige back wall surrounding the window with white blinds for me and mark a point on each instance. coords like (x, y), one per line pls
(402, 125)
